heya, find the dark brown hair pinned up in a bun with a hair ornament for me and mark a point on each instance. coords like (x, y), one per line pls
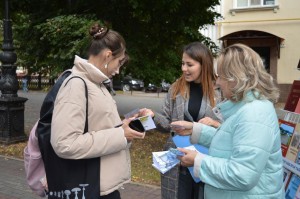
(105, 38)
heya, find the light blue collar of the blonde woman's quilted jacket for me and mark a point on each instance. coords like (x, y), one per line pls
(228, 107)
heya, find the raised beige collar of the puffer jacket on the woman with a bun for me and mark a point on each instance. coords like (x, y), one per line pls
(85, 69)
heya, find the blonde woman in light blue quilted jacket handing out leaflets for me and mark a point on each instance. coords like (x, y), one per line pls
(244, 160)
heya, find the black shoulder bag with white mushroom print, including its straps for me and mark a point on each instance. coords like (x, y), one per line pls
(66, 178)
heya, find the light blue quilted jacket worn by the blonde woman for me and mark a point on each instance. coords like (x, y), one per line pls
(244, 160)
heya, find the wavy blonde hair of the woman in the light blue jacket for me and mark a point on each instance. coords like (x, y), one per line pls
(240, 64)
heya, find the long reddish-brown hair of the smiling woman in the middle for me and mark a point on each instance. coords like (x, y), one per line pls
(200, 53)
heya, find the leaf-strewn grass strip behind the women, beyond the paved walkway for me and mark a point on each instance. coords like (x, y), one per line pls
(141, 156)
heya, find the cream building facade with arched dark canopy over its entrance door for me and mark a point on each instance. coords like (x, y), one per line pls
(271, 28)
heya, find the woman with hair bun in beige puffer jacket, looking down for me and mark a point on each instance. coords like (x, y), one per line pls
(103, 139)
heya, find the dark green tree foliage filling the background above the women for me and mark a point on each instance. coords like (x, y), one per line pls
(155, 31)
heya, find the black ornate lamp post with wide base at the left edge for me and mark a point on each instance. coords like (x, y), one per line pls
(11, 106)
